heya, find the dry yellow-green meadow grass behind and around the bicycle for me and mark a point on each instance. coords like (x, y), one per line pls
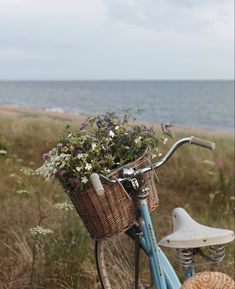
(199, 180)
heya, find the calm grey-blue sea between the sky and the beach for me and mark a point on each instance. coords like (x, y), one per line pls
(195, 104)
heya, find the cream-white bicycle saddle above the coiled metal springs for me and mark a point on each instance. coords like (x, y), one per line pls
(190, 234)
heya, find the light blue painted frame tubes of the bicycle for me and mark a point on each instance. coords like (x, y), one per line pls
(163, 273)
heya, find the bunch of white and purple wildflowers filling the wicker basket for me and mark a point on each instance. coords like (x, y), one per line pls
(102, 144)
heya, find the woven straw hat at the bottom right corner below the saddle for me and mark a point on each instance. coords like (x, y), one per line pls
(209, 280)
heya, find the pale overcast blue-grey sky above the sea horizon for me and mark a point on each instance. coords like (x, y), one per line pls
(116, 39)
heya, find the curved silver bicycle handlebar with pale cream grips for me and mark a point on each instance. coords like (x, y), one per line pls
(129, 173)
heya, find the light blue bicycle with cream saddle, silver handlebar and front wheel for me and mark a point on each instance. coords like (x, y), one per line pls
(115, 267)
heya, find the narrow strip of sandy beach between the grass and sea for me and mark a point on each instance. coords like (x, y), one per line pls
(15, 111)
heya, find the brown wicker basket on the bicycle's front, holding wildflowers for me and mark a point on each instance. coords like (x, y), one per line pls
(115, 211)
